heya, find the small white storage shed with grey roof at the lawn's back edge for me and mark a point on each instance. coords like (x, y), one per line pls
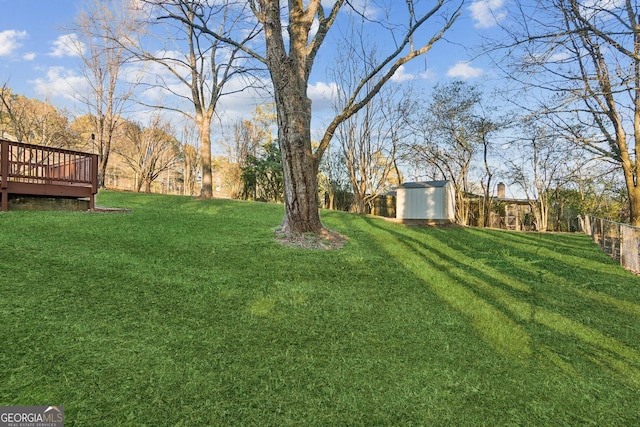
(430, 201)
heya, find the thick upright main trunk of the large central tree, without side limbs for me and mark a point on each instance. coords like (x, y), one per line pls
(290, 74)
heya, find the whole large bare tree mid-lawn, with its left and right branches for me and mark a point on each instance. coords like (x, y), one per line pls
(293, 35)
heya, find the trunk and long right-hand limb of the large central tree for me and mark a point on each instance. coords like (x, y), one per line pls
(290, 67)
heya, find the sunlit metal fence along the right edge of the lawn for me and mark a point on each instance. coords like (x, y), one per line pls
(620, 241)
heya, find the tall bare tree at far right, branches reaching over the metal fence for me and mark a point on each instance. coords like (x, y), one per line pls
(586, 57)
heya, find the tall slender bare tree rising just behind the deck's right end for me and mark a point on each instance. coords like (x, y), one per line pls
(99, 29)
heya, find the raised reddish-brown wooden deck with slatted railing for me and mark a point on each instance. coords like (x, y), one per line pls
(33, 170)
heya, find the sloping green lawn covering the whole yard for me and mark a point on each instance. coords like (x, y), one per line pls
(187, 313)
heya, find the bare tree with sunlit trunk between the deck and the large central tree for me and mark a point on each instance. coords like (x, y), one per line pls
(202, 65)
